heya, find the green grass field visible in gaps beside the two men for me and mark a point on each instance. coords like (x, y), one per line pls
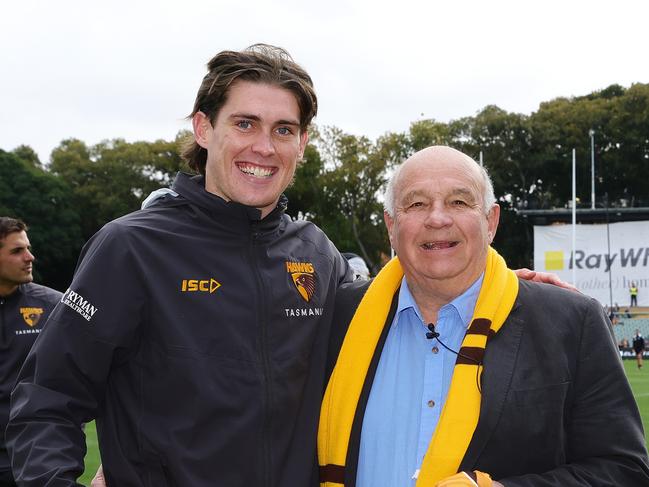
(639, 380)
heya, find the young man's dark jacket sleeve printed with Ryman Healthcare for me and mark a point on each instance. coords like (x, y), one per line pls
(63, 381)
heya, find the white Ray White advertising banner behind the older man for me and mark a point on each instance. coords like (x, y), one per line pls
(597, 271)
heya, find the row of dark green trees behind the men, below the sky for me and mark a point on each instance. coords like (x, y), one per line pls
(339, 184)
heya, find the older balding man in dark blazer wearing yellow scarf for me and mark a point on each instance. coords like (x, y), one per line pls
(451, 364)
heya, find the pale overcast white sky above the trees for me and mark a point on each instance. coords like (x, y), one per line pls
(131, 69)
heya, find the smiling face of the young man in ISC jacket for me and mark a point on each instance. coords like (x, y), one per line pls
(254, 145)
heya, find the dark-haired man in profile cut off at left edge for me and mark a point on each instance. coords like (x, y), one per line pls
(24, 307)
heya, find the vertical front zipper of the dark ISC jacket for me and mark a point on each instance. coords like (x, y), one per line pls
(265, 361)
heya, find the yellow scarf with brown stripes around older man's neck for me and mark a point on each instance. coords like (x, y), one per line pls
(460, 414)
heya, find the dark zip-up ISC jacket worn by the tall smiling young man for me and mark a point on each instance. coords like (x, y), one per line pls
(196, 334)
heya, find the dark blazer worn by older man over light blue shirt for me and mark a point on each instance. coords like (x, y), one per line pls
(556, 407)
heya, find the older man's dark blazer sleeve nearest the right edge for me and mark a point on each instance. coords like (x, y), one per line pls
(605, 440)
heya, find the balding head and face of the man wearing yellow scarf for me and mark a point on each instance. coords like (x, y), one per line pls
(440, 228)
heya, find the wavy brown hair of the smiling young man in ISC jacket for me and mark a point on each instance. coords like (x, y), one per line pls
(260, 63)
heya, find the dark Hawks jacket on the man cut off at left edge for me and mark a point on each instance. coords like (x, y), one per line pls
(22, 316)
